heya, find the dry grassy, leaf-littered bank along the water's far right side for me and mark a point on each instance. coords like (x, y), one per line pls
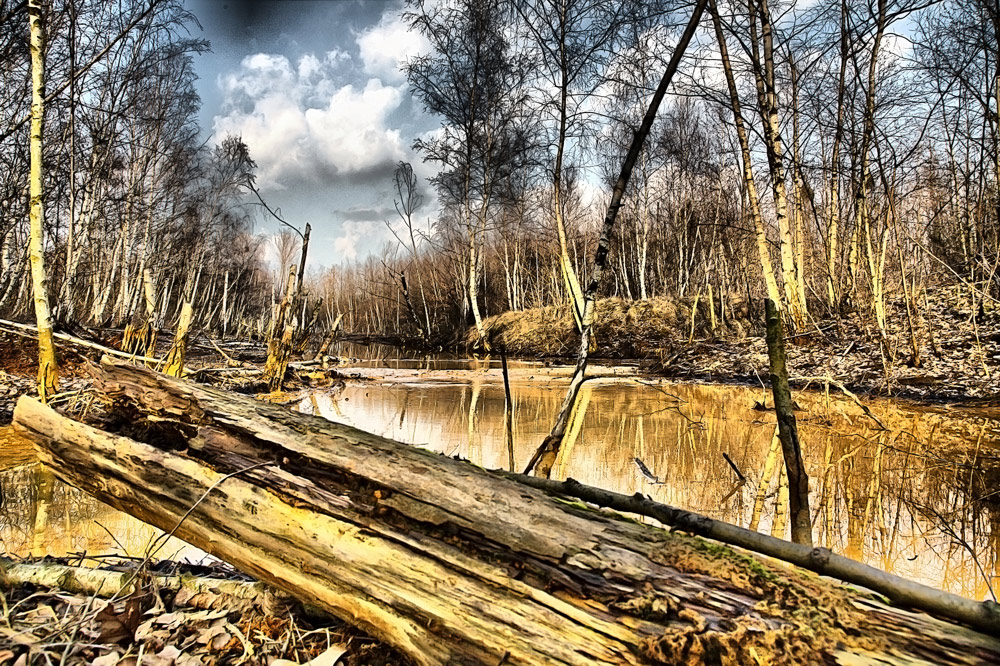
(958, 345)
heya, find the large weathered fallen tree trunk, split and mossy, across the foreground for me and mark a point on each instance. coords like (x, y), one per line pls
(451, 563)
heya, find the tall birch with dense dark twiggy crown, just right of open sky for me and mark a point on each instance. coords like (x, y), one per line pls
(476, 84)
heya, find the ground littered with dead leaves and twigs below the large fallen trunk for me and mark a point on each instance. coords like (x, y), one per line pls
(163, 627)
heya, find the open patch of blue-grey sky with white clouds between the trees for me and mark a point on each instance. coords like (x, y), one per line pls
(314, 89)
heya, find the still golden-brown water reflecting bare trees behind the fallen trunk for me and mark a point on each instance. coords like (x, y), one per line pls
(920, 498)
